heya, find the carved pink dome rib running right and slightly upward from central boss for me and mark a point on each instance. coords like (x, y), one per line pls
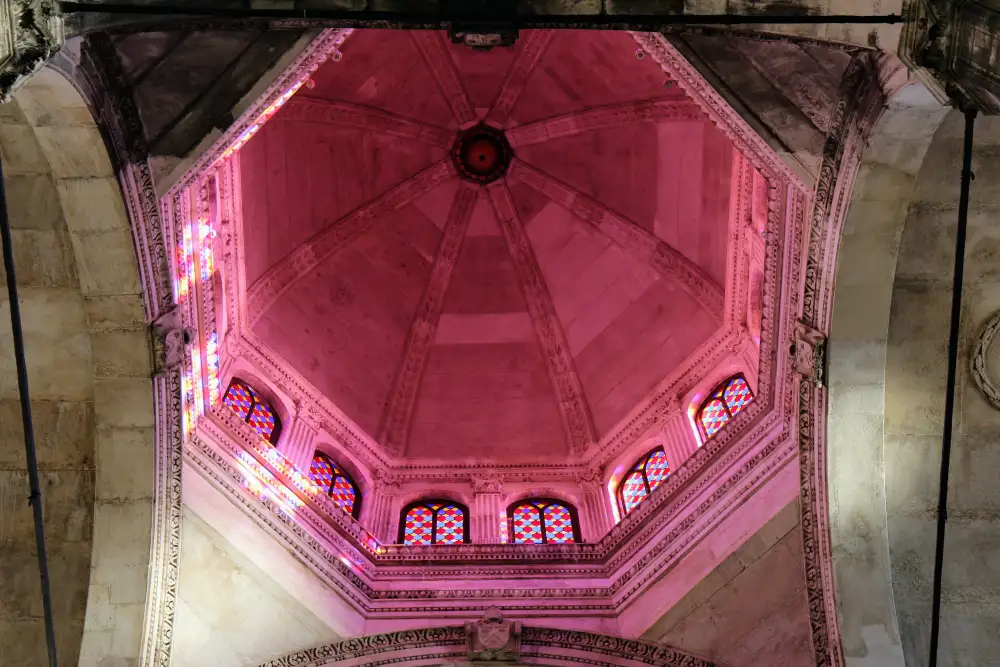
(627, 113)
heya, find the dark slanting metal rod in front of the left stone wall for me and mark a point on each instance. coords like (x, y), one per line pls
(35, 497)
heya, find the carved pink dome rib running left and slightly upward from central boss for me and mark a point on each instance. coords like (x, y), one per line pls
(359, 116)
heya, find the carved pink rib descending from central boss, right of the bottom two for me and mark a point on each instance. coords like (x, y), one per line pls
(573, 407)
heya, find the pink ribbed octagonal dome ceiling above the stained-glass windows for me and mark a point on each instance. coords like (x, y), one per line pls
(520, 316)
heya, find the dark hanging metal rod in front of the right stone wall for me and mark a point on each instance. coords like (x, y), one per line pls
(949, 404)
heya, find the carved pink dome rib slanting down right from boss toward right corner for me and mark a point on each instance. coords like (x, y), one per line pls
(664, 258)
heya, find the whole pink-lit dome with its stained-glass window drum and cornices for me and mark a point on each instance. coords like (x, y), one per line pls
(461, 319)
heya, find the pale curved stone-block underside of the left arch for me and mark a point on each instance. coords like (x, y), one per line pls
(91, 204)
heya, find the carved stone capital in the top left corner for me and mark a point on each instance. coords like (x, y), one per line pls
(31, 31)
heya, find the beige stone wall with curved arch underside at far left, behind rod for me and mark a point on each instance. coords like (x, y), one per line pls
(89, 369)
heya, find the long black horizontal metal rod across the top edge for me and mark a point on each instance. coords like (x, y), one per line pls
(602, 20)
